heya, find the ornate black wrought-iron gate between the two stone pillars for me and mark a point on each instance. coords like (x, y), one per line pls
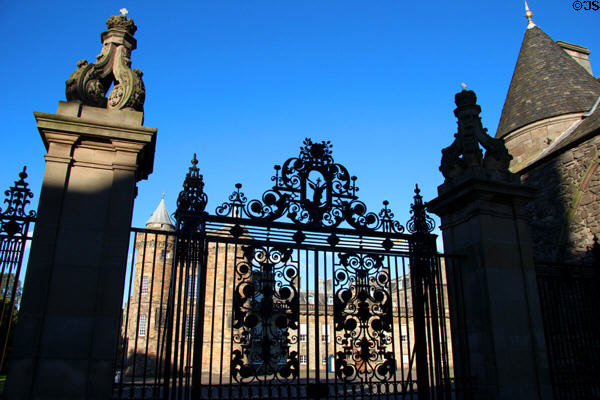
(301, 294)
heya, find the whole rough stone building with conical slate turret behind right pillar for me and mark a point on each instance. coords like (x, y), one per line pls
(550, 123)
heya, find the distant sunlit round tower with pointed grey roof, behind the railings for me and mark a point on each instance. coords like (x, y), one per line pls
(146, 307)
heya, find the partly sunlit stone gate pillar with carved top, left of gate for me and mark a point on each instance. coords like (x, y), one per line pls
(71, 307)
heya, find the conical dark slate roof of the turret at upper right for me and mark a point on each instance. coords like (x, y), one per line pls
(546, 83)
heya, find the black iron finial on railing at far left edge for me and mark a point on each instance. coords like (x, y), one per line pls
(15, 218)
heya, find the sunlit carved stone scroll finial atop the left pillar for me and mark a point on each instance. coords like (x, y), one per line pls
(90, 81)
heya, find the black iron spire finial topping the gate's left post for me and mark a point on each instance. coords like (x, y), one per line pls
(192, 199)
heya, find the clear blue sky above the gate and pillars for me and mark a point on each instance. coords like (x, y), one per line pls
(242, 83)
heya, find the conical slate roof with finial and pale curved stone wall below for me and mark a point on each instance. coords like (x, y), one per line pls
(549, 95)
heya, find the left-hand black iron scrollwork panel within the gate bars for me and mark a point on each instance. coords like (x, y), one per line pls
(266, 309)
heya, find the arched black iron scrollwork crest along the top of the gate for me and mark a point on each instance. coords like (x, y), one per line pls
(313, 190)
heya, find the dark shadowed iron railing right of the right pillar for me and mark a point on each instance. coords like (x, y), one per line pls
(569, 297)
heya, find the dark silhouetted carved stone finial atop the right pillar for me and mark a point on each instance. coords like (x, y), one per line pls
(464, 152)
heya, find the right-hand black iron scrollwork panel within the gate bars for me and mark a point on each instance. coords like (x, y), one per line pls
(363, 318)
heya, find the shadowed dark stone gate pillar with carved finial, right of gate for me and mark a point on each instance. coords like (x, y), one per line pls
(497, 331)
